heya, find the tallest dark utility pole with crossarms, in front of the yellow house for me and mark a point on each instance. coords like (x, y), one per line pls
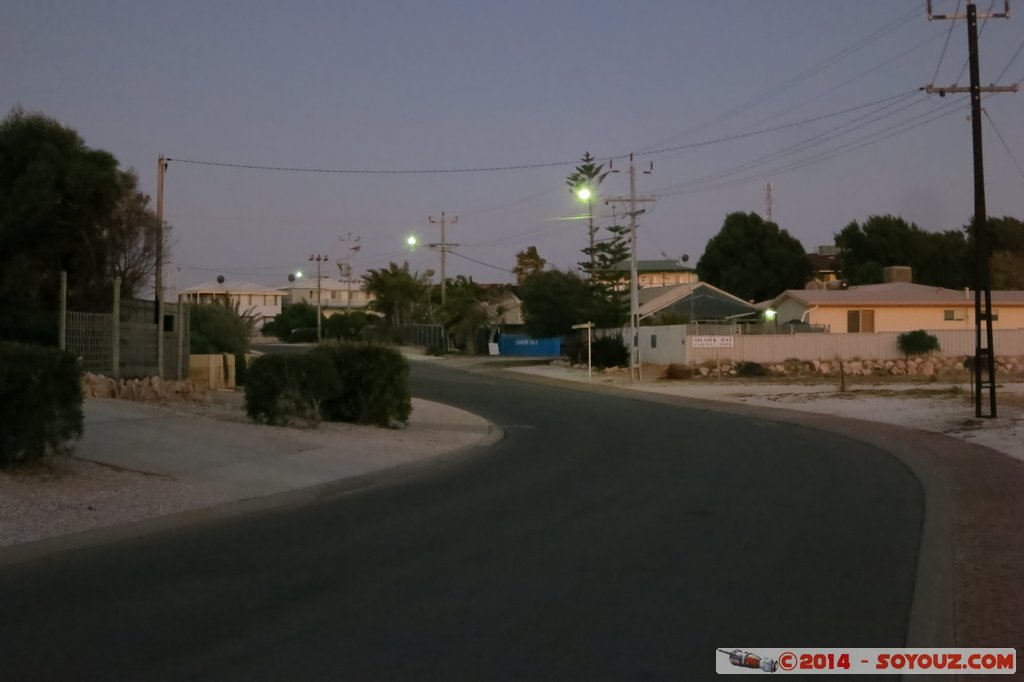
(985, 355)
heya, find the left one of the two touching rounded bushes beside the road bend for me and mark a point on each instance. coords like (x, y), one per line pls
(282, 388)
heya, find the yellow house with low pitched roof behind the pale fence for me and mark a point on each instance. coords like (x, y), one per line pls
(894, 307)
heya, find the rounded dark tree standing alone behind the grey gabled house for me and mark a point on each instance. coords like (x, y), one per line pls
(754, 260)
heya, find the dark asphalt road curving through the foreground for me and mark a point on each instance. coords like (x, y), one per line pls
(605, 538)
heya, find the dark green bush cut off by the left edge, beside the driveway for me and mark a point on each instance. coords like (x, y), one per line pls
(40, 402)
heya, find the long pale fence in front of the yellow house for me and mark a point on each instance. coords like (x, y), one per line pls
(671, 345)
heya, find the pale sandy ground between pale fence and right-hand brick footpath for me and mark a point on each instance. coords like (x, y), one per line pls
(940, 407)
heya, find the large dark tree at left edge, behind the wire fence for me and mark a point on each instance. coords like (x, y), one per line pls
(55, 194)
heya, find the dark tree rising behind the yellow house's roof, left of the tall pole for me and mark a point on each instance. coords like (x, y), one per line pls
(936, 259)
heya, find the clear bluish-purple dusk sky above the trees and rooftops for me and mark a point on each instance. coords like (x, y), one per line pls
(458, 87)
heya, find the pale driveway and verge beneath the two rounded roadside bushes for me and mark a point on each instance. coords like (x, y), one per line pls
(238, 460)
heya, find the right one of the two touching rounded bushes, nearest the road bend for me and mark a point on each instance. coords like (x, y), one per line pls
(373, 385)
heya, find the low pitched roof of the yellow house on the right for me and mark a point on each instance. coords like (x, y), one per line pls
(894, 293)
